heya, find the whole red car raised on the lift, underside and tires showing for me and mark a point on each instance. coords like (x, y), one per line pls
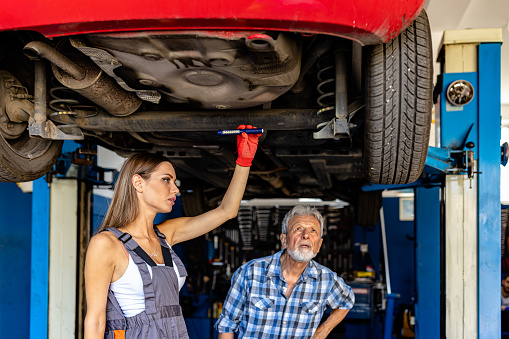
(342, 89)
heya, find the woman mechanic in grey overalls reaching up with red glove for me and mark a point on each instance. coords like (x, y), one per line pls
(132, 275)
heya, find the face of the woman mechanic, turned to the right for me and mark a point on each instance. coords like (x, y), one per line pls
(159, 192)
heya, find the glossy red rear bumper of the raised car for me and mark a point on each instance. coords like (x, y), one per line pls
(365, 21)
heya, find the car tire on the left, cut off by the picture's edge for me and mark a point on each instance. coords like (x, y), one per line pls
(22, 158)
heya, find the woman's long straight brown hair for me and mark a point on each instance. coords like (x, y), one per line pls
(124, 205)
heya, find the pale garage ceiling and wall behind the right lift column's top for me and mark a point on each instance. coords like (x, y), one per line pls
(465, 14)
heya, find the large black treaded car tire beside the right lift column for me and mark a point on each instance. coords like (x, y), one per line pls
(399, 90)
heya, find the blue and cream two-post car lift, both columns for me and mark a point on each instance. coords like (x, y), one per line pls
(457, 208)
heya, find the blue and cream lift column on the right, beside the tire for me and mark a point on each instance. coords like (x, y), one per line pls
(457, 200)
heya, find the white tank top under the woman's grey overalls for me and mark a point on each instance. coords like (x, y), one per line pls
(128, 289)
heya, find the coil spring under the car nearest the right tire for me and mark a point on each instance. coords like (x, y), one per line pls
(326, 88)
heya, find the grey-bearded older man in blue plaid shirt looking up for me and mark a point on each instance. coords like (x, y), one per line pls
(286, 294)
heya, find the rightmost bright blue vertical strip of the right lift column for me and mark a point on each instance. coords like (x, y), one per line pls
(488, 190)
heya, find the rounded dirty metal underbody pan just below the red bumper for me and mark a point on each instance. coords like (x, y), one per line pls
(201, 69)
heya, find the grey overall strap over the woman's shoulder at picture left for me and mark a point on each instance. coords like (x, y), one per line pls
(134, 248)
